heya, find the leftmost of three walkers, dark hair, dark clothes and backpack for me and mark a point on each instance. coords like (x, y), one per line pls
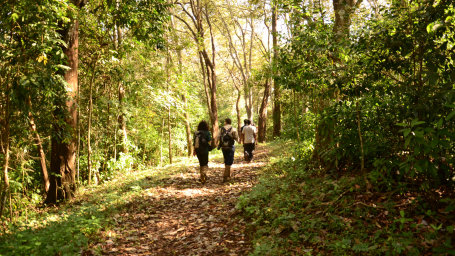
(201, 143)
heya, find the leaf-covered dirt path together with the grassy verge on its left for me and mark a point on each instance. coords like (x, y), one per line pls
(148, 211)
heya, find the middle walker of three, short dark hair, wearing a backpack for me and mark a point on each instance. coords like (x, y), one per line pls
(227, 137)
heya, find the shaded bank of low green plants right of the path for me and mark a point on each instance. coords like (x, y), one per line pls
(297, 209)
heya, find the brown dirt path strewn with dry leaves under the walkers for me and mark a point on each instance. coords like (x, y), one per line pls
(180, 216)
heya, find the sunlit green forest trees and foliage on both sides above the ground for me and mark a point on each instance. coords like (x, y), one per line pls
(91, 89)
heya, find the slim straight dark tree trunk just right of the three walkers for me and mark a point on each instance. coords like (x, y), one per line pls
(276, 86)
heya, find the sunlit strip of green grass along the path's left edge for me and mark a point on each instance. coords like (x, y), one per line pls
(71, 227)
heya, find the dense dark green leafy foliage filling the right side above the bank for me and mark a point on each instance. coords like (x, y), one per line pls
(390, 85)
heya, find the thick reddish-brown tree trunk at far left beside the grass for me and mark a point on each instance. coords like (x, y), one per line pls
(63, 152)
